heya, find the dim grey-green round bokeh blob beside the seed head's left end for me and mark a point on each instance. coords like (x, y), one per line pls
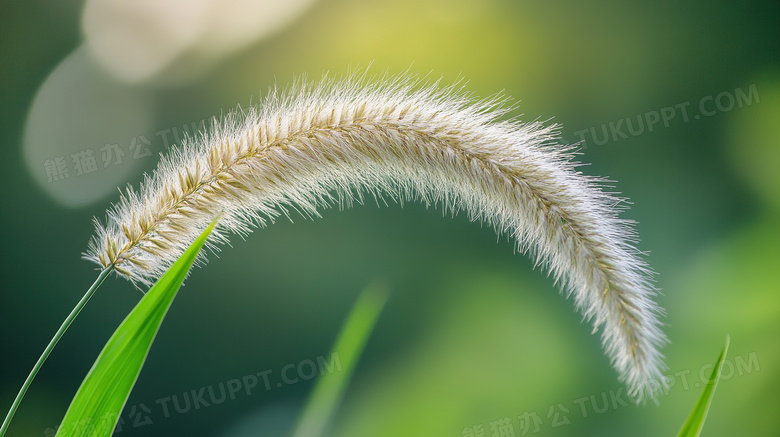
(83, 133)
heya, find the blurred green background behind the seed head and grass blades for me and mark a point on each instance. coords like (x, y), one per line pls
(473, 339)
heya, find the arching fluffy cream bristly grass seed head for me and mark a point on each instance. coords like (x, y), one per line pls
(333, 142)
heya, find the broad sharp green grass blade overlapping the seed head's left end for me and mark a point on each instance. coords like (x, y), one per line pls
(99, 401)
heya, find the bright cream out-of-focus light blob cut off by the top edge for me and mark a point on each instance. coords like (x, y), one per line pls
(177, 41)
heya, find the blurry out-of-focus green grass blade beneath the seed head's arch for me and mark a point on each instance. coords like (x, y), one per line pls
(349, 345)
